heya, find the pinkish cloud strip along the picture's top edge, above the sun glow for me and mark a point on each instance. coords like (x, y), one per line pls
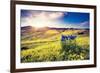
(46, 15)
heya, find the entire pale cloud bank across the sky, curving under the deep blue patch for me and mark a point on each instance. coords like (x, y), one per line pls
(49, 19)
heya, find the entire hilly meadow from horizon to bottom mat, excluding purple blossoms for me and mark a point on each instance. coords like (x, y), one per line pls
(45, 44)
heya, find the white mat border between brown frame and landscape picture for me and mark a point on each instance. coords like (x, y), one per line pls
(52, 64)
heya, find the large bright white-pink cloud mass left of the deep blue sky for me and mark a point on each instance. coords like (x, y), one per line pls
(42, 19)
